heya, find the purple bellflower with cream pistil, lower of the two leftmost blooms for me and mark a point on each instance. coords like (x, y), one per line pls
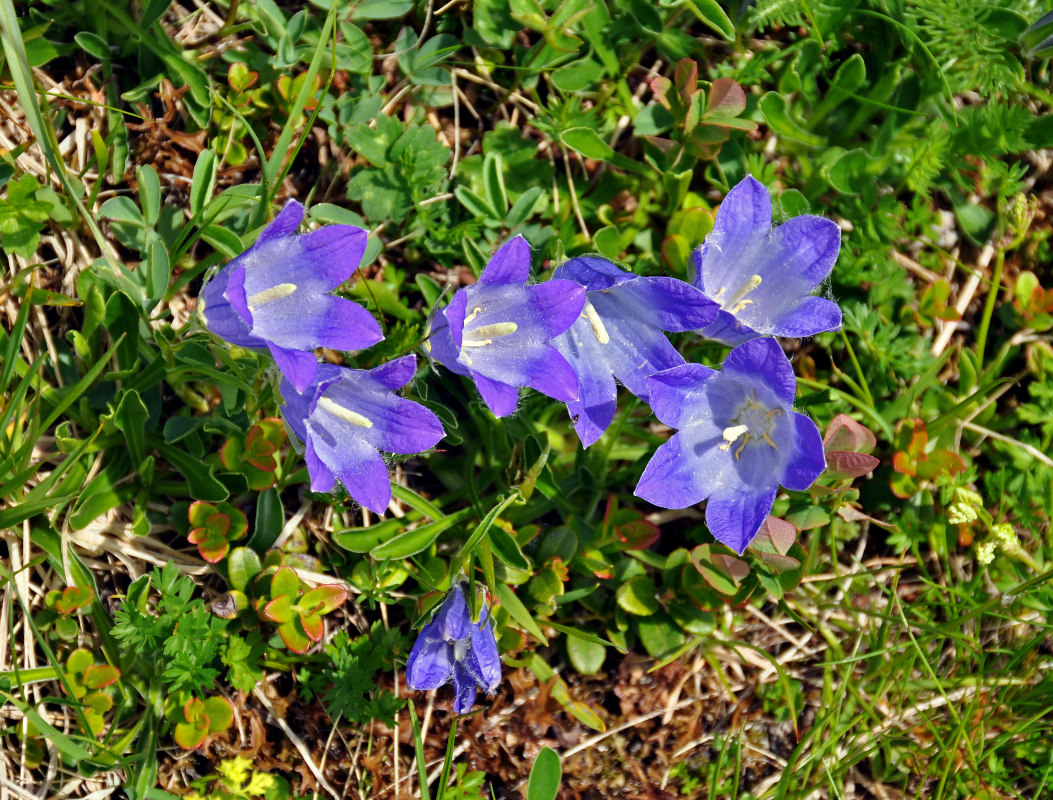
(346, 416)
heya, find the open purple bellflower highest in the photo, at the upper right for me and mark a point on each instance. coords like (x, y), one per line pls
(764, 278)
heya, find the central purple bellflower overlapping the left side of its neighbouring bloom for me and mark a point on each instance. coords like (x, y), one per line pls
(500, 331)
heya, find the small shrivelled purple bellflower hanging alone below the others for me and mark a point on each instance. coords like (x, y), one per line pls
(454, 649)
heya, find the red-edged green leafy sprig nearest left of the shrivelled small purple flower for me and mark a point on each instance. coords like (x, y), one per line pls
(299, 617)
